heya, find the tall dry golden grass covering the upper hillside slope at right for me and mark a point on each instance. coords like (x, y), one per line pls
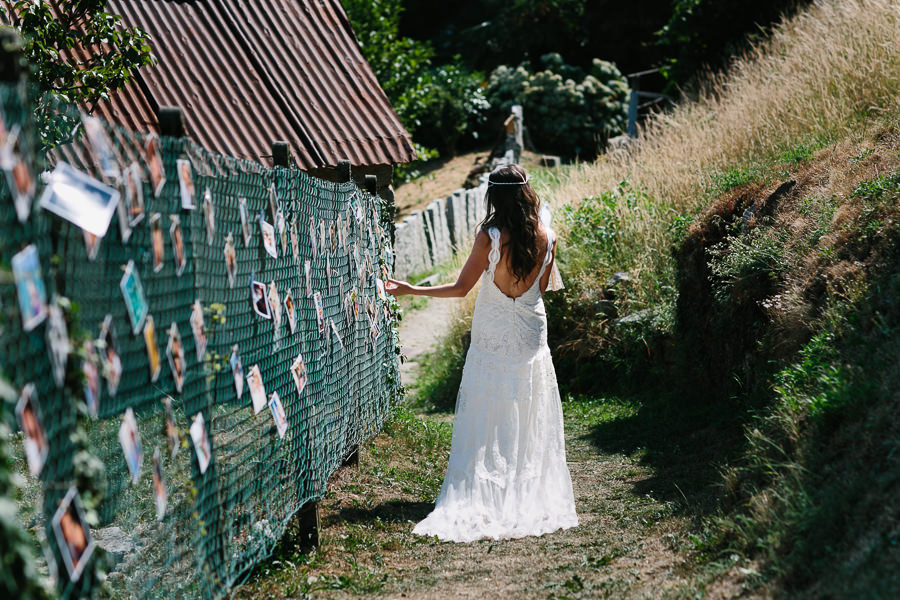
(820, 75)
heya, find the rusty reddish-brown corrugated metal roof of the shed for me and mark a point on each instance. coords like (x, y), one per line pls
(249, 72)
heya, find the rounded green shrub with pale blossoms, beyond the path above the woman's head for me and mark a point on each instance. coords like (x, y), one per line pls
(567, 111)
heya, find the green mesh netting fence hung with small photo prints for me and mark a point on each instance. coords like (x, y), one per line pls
(217, 524)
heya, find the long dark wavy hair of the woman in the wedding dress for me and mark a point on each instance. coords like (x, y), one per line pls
(514, 206)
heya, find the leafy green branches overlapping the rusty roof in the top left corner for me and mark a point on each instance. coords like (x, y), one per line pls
(78, 51)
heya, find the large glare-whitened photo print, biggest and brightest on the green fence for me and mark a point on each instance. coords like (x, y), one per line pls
(80, 199)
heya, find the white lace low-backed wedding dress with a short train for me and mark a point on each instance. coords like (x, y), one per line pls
(507, 476)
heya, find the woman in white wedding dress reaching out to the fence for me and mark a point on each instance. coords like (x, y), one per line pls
(507, 475)
